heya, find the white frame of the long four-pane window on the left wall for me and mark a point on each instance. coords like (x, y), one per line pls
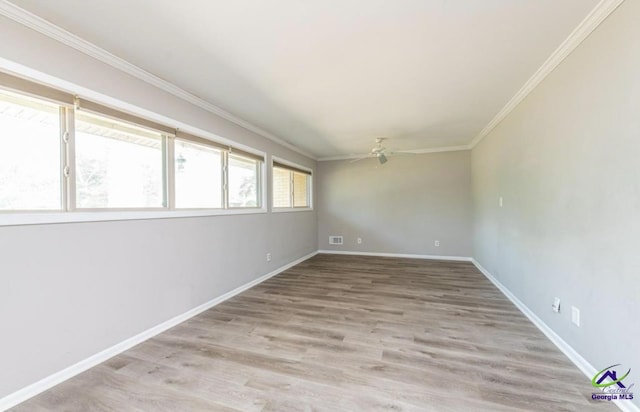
(69, 214)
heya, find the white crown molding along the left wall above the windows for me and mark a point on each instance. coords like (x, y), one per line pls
(32, 21)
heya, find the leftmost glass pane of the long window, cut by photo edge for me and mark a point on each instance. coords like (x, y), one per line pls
(30, 159)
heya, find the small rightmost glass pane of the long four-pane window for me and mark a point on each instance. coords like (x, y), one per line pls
(243, 181)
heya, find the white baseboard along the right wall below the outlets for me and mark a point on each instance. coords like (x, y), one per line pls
(585, 367)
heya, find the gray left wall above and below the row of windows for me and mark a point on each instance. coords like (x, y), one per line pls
(71, 290)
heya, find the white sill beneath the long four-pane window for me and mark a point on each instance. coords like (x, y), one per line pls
(47, 218)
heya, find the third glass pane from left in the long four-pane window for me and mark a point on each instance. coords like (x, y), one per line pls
(198, 175)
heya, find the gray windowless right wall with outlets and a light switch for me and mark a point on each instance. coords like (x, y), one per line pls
(566, 161)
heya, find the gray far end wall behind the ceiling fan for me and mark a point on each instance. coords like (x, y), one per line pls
(400, 207)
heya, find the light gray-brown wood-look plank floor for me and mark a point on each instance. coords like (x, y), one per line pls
(342, 333)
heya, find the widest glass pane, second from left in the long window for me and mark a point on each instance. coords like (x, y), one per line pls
(117, 165)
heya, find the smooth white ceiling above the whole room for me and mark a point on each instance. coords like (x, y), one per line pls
(330, 76)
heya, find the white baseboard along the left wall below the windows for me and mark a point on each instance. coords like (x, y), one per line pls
(50, 381)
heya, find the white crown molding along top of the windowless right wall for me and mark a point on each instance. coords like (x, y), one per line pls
(599, 13)
